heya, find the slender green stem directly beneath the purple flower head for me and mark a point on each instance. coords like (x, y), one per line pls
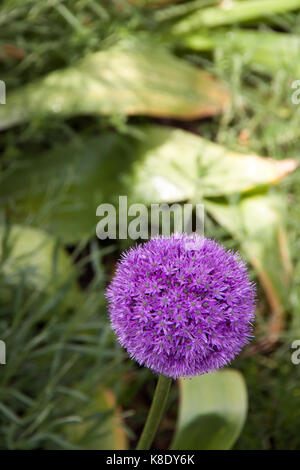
(156, 411)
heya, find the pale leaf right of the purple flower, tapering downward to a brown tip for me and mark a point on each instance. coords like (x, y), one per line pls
(258, 223)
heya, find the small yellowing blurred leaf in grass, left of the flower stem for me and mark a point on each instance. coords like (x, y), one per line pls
(111, 434)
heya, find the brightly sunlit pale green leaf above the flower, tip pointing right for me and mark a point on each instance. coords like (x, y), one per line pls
(175, 164)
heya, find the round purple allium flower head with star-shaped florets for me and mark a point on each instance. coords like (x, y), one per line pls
(182, 305)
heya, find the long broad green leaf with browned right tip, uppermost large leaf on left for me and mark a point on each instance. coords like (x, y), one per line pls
(130, 78)
